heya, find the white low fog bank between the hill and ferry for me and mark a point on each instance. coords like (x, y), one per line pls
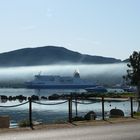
(105, 74)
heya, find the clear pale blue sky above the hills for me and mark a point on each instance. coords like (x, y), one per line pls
(109, 28)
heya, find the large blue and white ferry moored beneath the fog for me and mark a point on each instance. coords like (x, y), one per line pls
(59, 82)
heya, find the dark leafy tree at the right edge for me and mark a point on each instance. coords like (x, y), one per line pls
(133, 73)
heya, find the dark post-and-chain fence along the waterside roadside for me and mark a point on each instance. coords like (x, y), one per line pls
(69, 101)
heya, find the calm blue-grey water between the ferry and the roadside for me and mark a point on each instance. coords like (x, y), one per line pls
(53, 113)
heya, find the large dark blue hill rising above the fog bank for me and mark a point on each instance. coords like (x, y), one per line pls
(49, 55)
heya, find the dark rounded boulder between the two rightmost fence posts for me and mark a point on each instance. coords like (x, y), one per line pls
(116, 113)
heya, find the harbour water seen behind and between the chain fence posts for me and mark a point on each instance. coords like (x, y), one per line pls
(56, 111)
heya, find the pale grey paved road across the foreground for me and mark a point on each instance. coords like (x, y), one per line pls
(124, 131)
